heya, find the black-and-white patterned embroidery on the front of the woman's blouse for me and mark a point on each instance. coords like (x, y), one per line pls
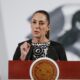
(40, 49)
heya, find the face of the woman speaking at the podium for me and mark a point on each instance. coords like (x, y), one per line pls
(39, 25)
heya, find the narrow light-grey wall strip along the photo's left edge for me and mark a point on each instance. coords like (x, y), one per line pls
(3, 49)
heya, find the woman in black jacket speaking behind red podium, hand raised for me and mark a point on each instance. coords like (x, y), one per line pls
(40, 45)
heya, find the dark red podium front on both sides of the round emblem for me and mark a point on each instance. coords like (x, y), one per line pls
(20, 70)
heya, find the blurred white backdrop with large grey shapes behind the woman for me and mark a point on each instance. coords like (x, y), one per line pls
(15, 26)
